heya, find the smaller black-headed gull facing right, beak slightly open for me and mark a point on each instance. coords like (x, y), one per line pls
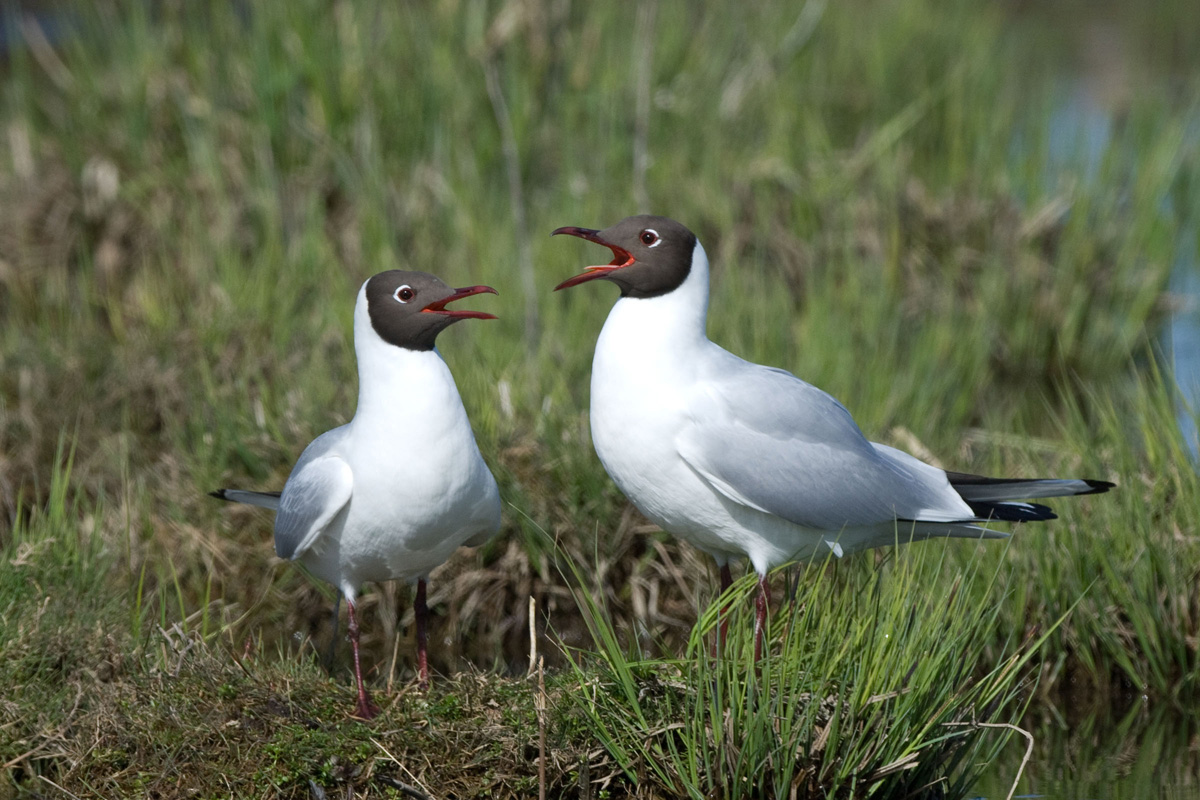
(395, 491)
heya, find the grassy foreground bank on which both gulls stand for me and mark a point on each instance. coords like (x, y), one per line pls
(110, 696)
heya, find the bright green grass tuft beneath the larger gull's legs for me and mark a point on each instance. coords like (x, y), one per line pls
(869, 690)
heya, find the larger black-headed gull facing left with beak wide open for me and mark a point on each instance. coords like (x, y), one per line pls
(749, 461)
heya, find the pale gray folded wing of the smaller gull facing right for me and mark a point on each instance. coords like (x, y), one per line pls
(319, 489)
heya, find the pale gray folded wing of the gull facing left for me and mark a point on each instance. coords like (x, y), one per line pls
(766, 440)
